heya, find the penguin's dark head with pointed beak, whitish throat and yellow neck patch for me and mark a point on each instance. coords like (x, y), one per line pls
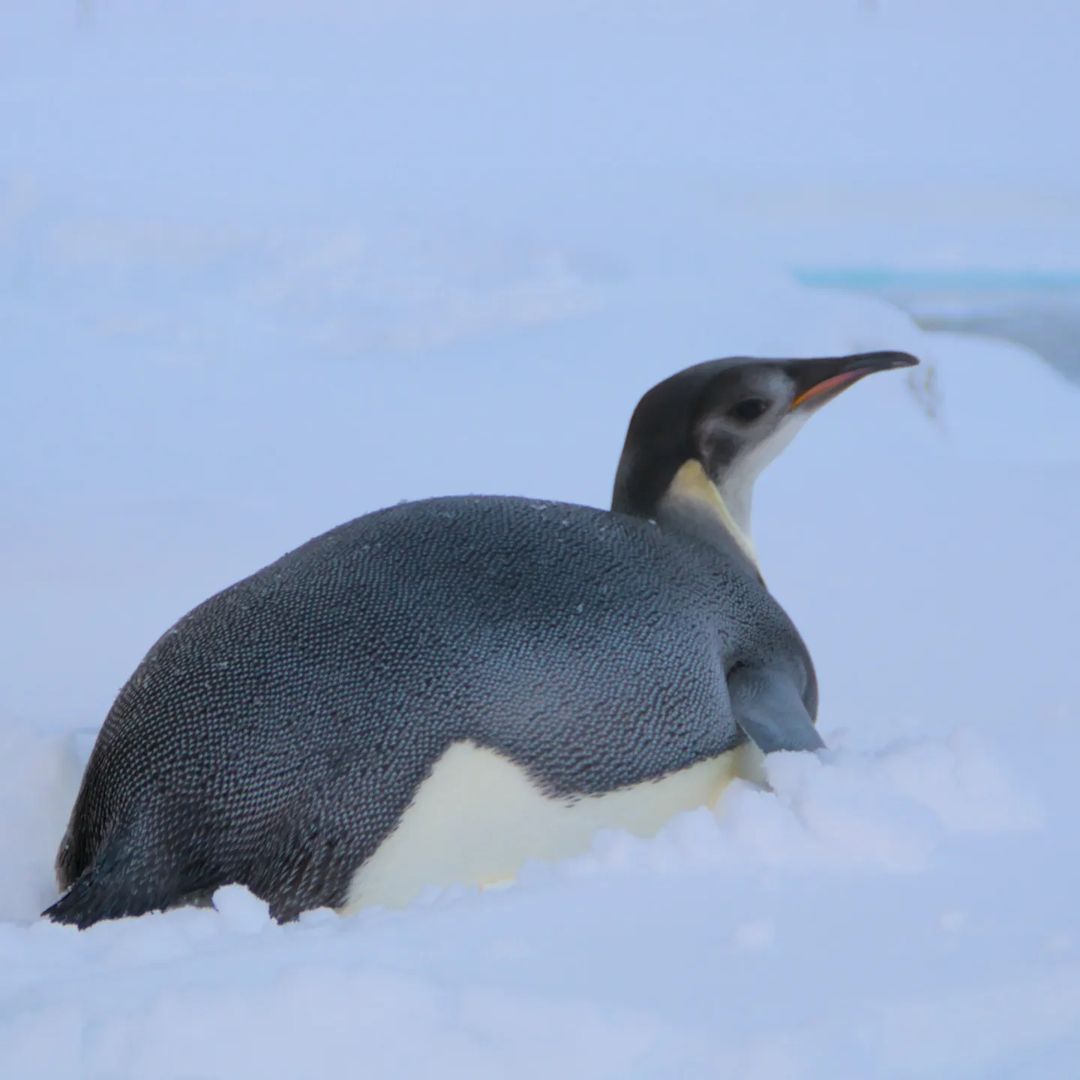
(699, 440)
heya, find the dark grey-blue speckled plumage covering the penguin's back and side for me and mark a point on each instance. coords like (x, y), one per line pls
(276, 736)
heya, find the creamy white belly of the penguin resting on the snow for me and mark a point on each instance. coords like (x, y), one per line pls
(479, 818)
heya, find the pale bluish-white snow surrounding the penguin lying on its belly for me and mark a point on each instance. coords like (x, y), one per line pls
(268, 267)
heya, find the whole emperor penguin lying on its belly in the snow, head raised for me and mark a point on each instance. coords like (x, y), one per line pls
(437, 693)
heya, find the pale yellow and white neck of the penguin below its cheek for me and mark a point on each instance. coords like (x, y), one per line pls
(695, 505)
